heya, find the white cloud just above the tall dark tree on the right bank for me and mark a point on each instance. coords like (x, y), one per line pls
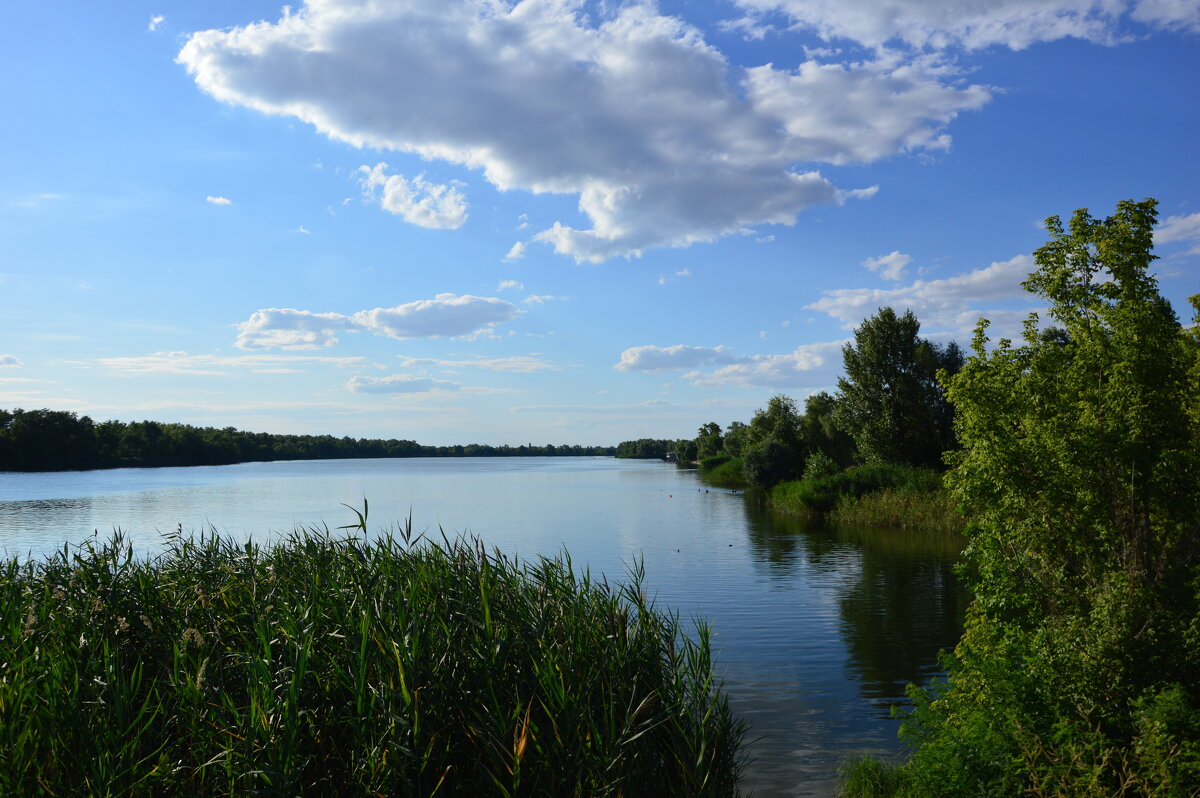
(952, 303)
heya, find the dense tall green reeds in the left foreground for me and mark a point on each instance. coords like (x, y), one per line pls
(344, 667)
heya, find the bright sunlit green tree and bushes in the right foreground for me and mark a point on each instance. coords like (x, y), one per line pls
(1079, 673)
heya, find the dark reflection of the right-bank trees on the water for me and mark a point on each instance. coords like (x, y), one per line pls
(899, 601)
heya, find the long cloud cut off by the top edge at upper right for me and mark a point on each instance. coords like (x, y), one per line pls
(973, 25)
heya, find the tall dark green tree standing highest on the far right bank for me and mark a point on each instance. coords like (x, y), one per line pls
(890, 401)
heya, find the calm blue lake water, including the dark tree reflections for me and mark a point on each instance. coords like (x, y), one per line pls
(818, 631)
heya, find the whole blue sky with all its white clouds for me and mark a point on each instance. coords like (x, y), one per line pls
(550, 221)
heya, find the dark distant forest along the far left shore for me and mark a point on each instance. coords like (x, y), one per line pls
(46, 441)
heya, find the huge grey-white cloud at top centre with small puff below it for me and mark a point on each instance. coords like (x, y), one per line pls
(662, 139)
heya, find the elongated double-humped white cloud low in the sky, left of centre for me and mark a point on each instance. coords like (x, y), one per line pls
(445, 316)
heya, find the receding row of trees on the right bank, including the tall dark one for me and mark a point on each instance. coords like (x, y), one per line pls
(890, 409)
